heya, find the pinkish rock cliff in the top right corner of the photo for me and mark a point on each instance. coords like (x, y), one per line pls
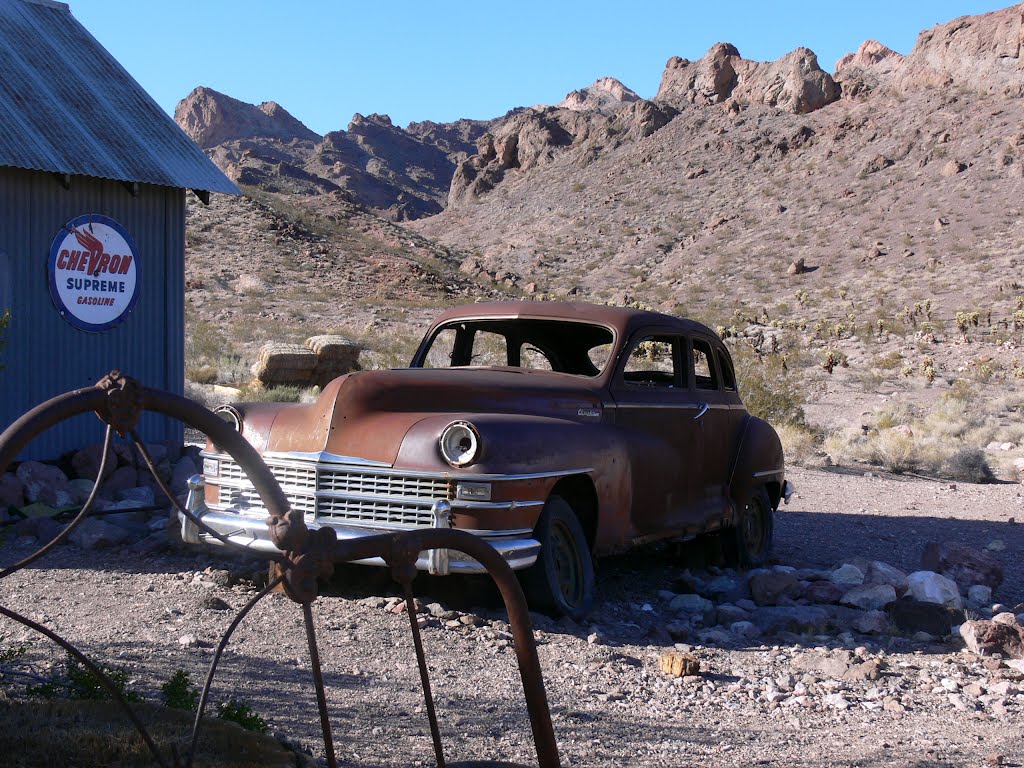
(984, 54)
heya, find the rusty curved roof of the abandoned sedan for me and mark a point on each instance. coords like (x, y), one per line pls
(623, 320)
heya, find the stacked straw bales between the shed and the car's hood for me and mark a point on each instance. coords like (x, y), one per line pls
(315, 363)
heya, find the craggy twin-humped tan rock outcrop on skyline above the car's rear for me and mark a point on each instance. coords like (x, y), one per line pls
(794, 83)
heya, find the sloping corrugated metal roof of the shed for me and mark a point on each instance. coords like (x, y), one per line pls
(68, 107)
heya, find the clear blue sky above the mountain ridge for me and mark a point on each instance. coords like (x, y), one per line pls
(326, 60)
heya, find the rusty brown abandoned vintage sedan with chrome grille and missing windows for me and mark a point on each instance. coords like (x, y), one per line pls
(556, 433)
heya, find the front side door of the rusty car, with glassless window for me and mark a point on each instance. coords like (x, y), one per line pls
(655, 410)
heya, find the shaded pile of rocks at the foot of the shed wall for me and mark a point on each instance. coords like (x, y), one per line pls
(130, 505)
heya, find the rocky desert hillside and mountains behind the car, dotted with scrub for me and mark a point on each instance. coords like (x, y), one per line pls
(859, 235)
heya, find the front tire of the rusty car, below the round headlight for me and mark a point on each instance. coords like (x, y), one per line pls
(562, 582)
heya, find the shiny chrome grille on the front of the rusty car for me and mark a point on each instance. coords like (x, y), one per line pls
(351, 495)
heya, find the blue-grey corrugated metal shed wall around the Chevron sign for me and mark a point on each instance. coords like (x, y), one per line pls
(46, 355)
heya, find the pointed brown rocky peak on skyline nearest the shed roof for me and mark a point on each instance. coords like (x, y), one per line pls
(211, 118)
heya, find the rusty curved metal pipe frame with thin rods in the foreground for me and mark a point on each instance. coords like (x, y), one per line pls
(119, 402)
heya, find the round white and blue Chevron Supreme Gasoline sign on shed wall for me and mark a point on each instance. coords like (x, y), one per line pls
(94, 273)
